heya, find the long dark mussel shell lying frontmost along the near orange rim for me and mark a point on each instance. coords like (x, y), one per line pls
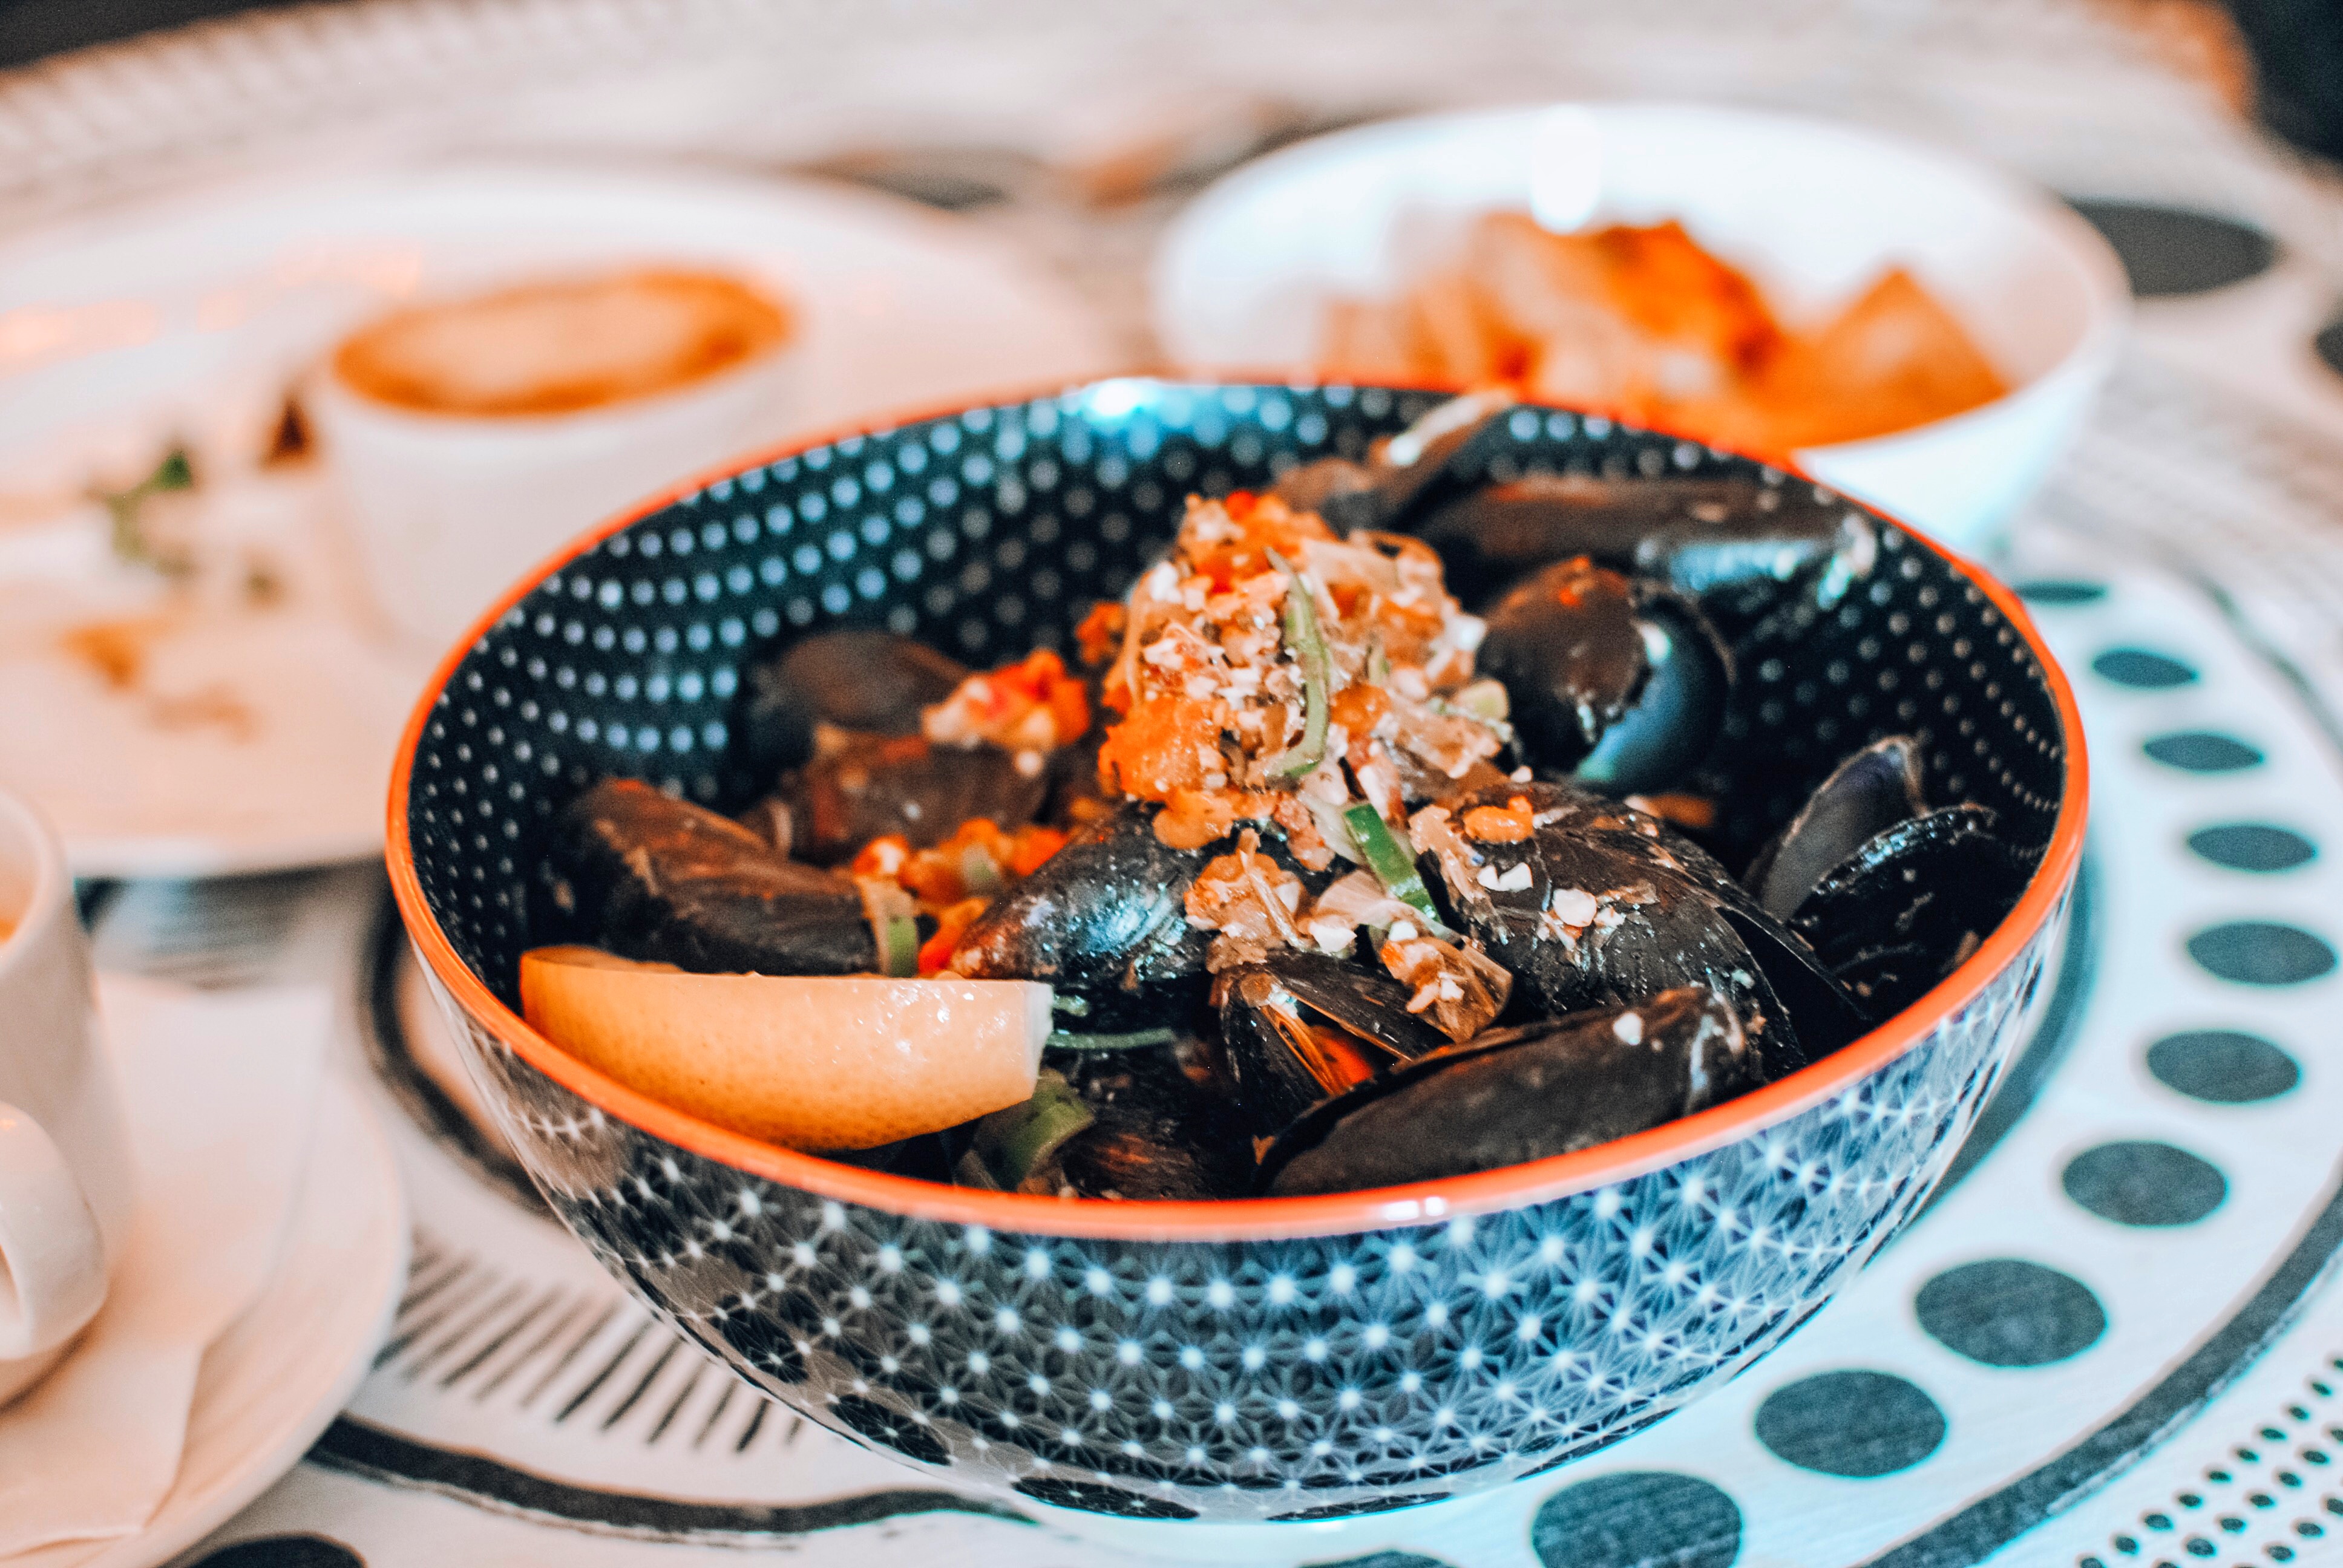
(1517, 1096)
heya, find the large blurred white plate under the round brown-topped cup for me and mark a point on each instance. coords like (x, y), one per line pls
(191, 318)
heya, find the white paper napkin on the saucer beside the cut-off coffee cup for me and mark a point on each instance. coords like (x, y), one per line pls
(219, 1093)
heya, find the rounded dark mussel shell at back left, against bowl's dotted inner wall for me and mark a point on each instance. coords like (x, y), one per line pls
(863, 681)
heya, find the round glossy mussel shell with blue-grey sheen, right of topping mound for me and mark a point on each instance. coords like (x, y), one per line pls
(1608, 679)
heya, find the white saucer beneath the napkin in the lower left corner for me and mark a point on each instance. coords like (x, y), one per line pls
(280, 1377)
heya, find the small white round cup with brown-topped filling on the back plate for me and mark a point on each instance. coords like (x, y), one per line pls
(449, 510)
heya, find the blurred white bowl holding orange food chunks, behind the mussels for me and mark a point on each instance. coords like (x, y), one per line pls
(1810, 210)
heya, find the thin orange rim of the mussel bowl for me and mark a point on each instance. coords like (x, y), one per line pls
(1231, 1220)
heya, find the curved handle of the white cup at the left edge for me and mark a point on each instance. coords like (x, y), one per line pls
(53, 1260)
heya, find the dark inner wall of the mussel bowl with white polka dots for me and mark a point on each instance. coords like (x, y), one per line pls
(995, 531)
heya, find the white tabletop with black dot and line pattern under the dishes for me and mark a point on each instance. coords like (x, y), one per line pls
(524, 1407)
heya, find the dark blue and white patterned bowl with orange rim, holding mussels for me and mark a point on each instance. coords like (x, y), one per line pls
(1266, 1361)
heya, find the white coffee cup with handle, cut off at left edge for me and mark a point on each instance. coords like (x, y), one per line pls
(64, 1154)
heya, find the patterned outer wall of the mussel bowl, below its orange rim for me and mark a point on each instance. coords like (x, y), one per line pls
(1292, 1379)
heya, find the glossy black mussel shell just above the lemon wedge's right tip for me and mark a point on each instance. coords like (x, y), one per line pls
(1105, 920)
